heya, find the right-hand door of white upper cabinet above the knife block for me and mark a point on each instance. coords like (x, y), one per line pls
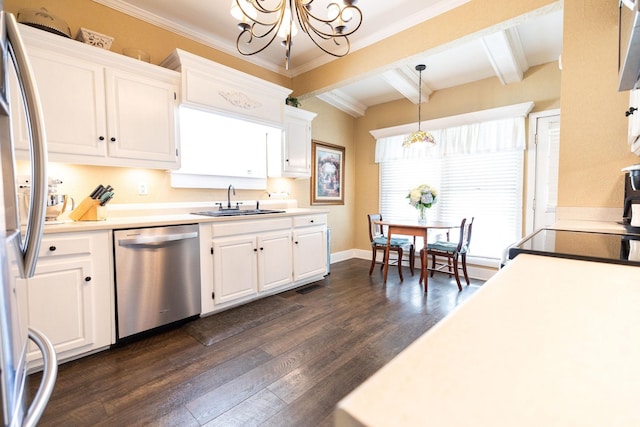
(141, 117)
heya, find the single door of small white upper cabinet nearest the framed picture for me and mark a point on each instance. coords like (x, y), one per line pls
(297, 147)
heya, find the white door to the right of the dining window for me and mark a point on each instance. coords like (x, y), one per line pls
(544, 165)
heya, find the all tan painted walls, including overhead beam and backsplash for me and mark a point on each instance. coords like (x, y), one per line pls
(593, 148)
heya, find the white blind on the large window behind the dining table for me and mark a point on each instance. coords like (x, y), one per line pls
(487, 186)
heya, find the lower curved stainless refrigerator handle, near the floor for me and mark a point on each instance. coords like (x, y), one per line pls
(49, 374)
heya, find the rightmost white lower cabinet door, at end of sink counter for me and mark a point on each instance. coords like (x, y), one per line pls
(309, 252)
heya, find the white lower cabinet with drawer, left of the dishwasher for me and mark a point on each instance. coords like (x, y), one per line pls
(70, 297)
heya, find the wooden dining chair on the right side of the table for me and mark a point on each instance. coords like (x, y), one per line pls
(454, 252)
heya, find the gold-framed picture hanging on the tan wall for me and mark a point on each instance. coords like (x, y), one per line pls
(327, 176)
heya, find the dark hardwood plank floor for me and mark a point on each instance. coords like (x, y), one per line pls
(291, 371)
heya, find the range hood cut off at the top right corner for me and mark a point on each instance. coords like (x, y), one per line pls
(629, 45)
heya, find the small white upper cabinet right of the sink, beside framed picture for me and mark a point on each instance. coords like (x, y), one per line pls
(291, 157)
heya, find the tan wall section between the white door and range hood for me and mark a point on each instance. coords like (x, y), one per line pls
(593, 132)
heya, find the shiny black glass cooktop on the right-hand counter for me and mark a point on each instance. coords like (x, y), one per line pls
(582, 245)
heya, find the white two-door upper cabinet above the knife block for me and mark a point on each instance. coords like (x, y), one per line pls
(101, 108)
